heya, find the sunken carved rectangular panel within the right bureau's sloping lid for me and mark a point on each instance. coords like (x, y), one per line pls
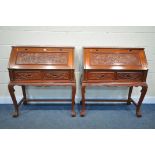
(99, 58)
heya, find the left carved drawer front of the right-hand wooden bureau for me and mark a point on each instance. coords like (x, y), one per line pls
(94, 75)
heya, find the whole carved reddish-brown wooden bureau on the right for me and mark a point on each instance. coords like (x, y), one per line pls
(115, 67)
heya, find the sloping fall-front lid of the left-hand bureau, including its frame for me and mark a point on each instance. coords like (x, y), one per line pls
(41, 58)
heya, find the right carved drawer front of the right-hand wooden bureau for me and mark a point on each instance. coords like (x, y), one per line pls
(130, 76)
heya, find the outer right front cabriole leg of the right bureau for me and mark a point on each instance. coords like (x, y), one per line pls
(143, 92)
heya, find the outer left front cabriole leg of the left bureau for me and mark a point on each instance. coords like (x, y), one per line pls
(12, 94)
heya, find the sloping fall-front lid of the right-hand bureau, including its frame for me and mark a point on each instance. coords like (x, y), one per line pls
(115, 58)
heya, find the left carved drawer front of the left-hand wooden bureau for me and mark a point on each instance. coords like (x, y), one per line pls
(27, 75)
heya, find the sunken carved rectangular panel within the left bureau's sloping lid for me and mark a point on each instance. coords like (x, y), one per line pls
(52, 58)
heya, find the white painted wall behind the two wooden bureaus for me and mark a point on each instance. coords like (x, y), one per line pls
(78, 37)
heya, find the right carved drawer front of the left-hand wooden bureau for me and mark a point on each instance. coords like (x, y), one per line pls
(57, 75)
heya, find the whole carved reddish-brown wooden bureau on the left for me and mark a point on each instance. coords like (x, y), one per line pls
(40, 66)
